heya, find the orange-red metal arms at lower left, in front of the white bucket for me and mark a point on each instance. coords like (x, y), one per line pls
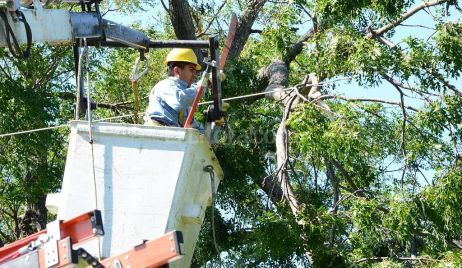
(53, 247)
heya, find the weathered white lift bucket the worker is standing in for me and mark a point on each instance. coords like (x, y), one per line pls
(149, 180)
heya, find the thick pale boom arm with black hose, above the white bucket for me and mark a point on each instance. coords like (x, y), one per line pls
(61, 27)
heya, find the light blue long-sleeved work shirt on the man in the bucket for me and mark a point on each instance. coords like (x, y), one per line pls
(170, 101)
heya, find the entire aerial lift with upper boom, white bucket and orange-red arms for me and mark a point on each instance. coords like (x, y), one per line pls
(24, 22)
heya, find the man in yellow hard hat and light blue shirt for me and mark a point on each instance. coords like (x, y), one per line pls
(170, 99)
